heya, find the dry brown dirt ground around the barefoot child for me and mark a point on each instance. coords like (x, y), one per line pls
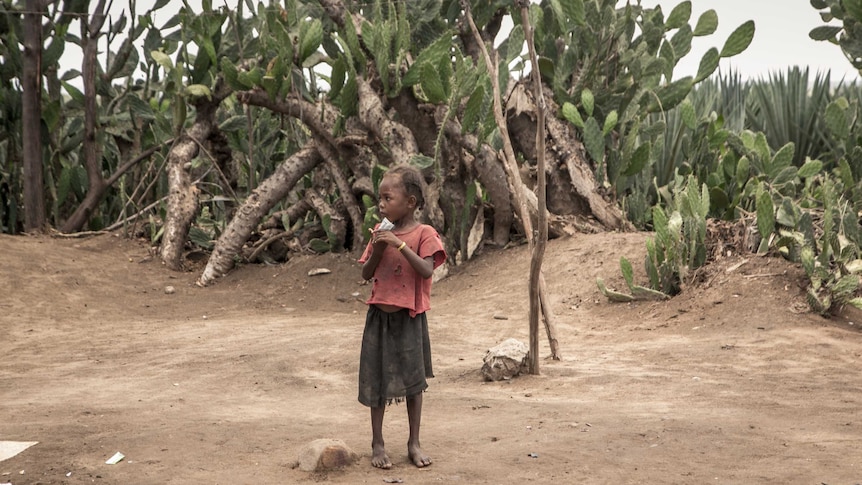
(733, 381)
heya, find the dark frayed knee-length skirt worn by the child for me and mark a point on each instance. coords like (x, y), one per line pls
(395, 359)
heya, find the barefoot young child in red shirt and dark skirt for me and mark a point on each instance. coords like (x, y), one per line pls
(396, 353)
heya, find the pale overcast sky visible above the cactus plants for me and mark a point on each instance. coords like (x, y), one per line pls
(780, 40)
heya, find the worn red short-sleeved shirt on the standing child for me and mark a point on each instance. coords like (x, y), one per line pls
(395, 282)
